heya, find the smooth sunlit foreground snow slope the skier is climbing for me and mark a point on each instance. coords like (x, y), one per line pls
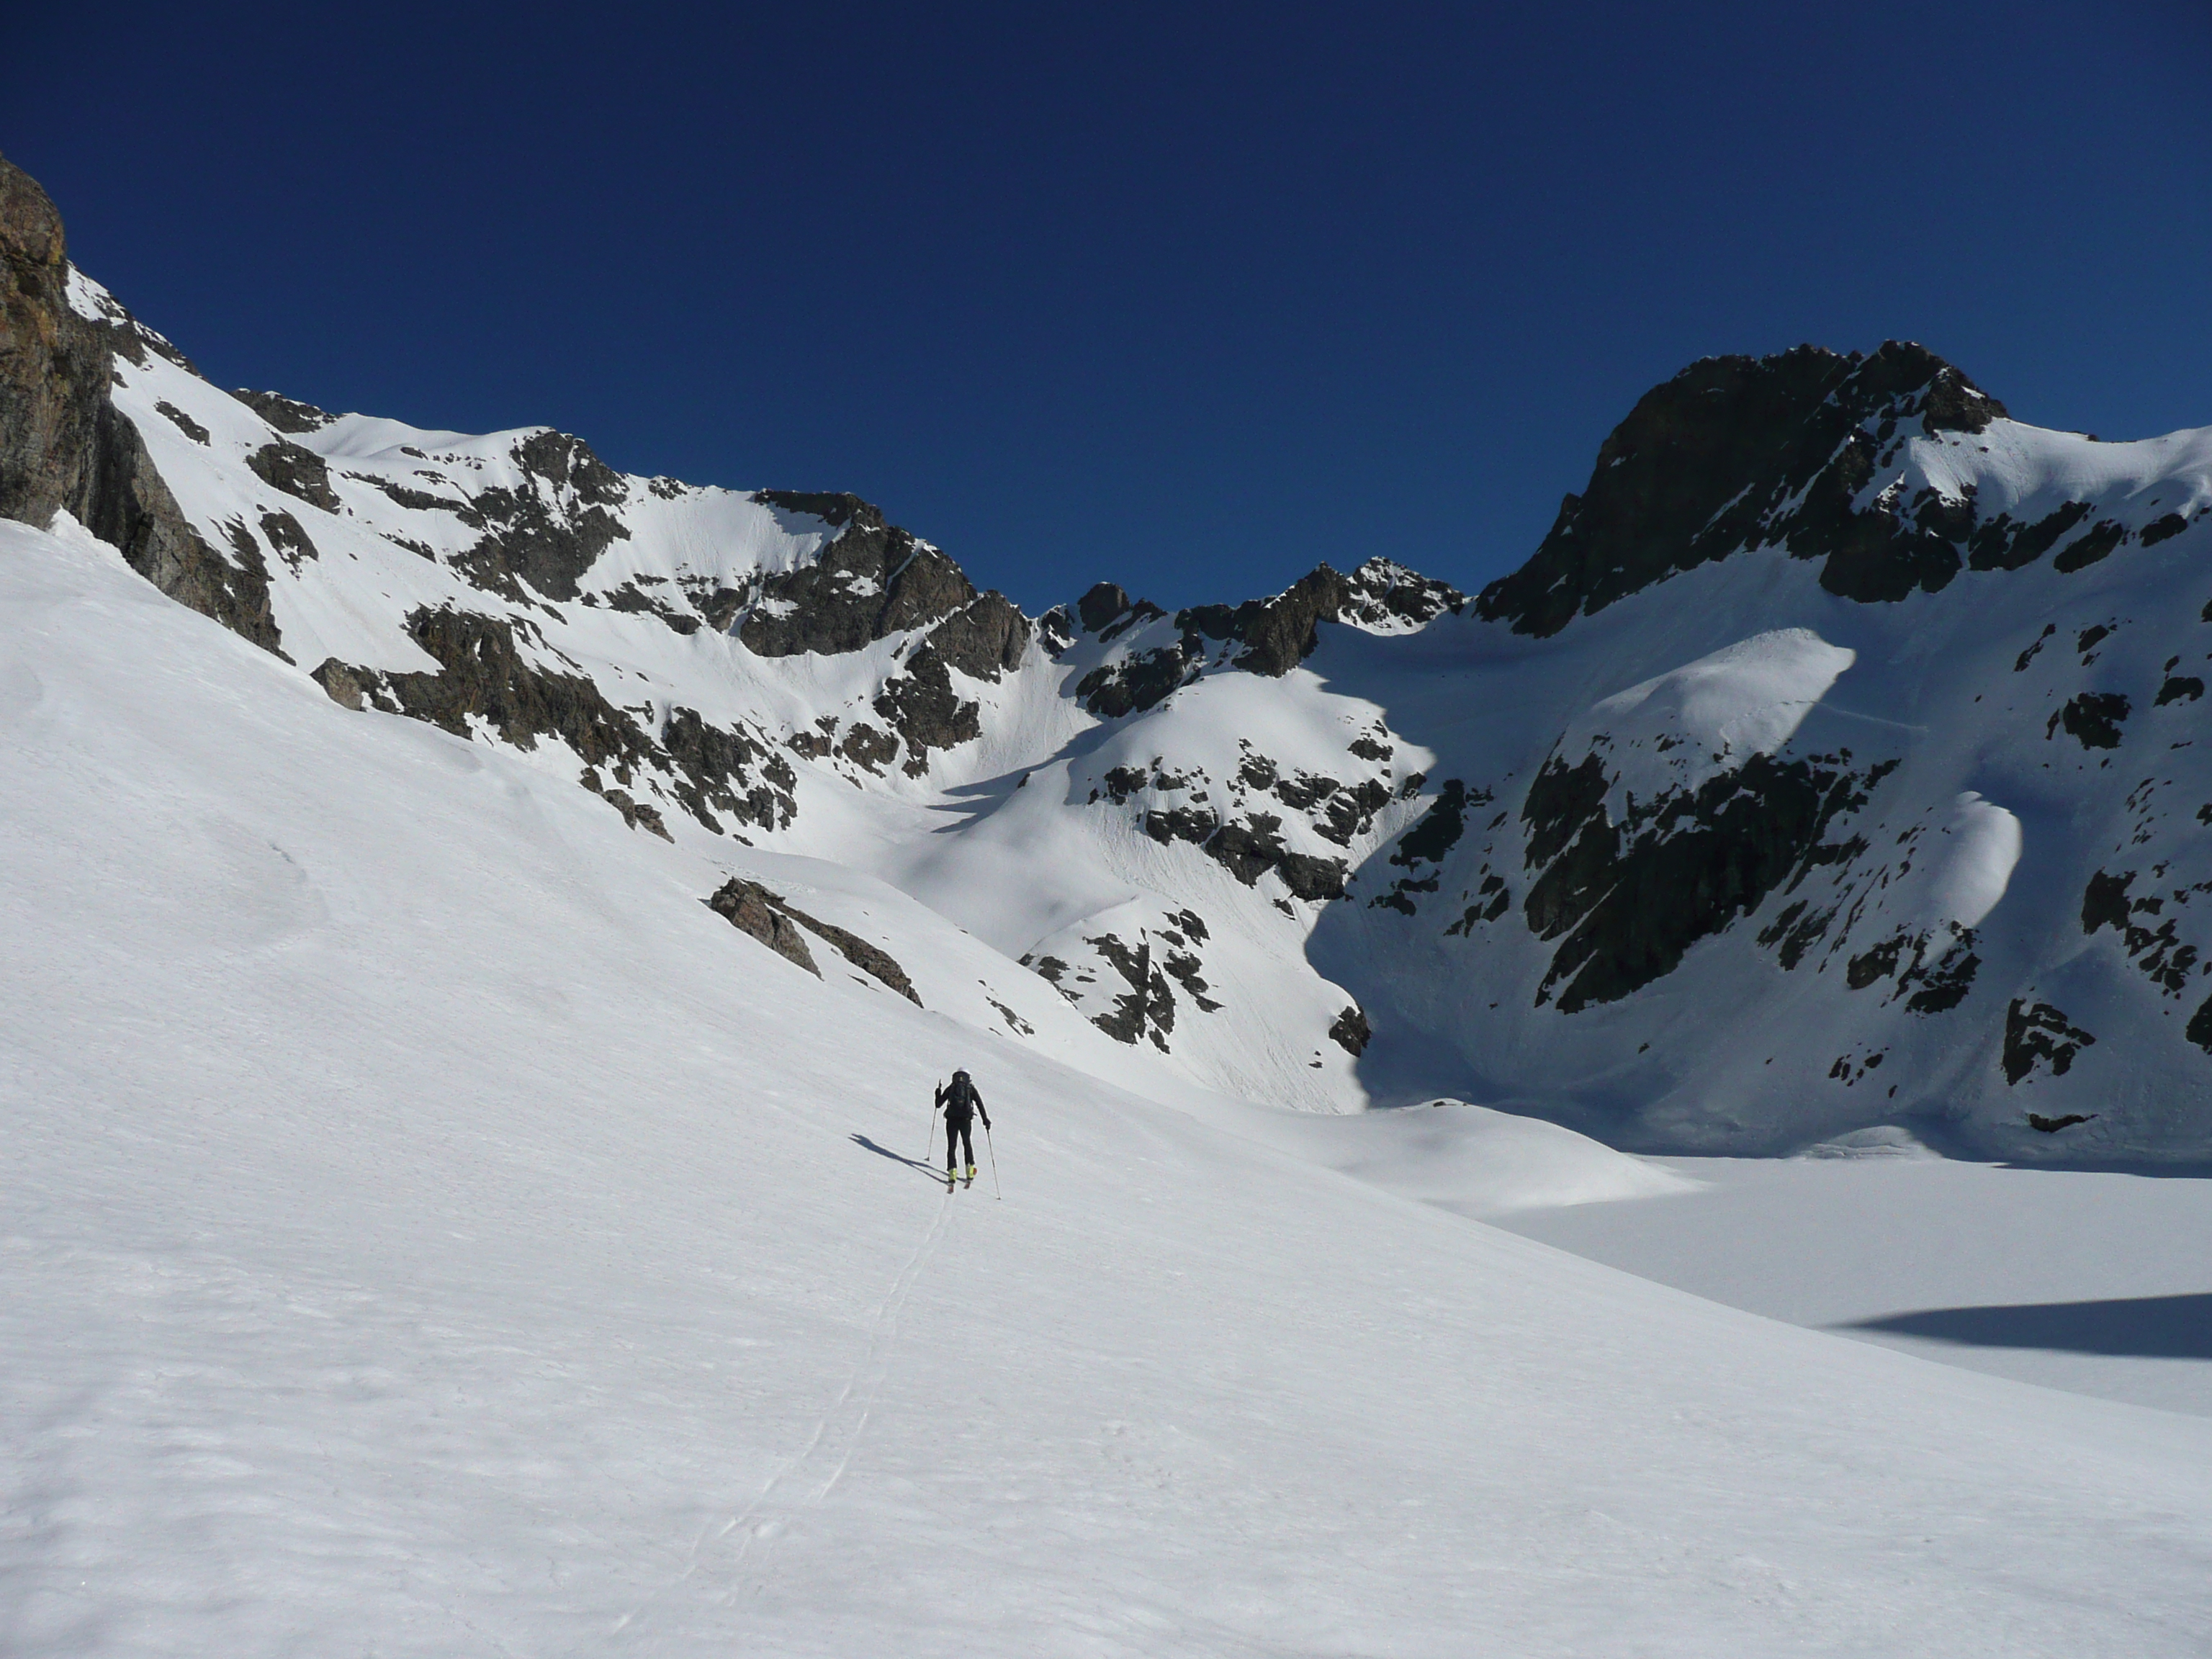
(430, 1229)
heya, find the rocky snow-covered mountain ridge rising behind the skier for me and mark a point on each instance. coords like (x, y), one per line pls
(1830, 764)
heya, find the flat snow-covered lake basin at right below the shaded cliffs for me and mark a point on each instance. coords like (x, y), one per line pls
(2072, 1280)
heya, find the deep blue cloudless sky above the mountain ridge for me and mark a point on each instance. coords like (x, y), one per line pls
(1189, 298)
